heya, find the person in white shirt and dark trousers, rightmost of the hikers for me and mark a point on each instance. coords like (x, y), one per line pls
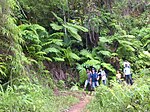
(127, 74)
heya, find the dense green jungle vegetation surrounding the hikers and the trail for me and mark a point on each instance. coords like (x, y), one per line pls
(47, 44)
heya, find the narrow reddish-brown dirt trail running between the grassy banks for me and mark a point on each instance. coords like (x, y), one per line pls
(81, 105)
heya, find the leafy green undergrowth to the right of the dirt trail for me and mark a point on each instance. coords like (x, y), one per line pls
(120, 98)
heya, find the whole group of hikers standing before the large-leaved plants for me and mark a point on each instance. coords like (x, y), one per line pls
(94, 77)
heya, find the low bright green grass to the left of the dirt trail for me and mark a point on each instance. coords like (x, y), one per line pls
(29, 97)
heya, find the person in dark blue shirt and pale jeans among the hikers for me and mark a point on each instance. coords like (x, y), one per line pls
(94, 78)
